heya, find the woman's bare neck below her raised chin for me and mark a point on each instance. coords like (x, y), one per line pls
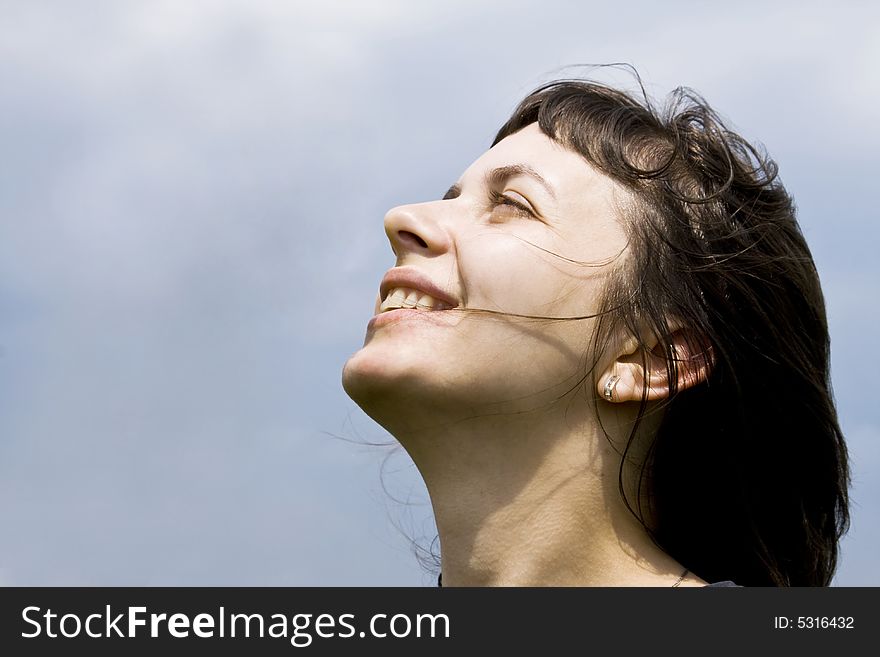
(533, 500)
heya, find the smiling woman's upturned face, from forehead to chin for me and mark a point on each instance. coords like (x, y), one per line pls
(529, 229)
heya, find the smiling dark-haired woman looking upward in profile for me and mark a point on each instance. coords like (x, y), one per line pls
(606, 351)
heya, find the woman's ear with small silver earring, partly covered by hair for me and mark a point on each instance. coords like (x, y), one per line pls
(640, 368)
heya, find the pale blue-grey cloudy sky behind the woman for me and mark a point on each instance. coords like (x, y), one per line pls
(191, 204)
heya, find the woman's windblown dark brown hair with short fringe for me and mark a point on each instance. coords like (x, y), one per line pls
(746, 478)
